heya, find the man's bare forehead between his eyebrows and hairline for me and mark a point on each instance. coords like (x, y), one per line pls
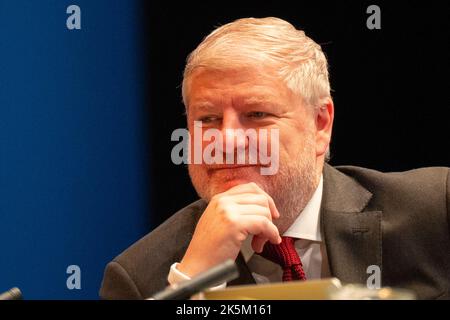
(252, 84)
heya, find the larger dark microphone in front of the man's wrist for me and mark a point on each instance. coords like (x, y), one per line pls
(221, 273)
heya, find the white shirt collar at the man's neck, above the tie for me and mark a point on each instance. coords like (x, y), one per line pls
(306, 226)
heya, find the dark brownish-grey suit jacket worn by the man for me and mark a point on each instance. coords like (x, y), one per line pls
(398, 221)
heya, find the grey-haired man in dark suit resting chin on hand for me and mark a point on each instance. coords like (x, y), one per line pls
(264, 74)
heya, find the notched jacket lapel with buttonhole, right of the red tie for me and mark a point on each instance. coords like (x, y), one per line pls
(352, 235)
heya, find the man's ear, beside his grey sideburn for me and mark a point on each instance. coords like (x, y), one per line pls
(324, 117)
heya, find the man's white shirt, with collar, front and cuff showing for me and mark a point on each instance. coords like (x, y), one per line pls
(306, 228)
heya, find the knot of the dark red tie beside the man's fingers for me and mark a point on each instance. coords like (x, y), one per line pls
(283, 254)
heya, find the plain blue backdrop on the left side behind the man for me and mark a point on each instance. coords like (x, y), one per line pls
(73, 143)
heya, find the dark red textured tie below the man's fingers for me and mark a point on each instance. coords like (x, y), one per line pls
(287, 257)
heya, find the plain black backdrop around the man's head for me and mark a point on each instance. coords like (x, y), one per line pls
(390, 86)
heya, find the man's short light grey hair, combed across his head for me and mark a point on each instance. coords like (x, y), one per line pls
(300, 61)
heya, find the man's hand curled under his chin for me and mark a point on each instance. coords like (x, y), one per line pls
(228, 220)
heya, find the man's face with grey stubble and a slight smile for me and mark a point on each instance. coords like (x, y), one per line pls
(255, 98)
